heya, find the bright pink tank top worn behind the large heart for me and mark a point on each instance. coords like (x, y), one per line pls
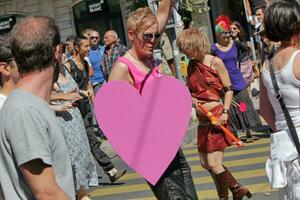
(139, 77)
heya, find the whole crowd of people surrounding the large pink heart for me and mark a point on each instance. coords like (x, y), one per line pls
(48, 133)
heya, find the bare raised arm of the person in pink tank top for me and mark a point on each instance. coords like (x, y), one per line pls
(163, 14)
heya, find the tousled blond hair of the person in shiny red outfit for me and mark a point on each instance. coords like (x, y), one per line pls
(193, 43)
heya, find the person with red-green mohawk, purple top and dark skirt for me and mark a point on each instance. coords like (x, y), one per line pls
(227, 51)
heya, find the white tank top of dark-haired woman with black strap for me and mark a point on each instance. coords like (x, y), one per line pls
(289, 87)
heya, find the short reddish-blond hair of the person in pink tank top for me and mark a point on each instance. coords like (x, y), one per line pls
(141, 19)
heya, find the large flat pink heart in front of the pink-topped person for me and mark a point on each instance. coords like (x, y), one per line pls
(146, 130)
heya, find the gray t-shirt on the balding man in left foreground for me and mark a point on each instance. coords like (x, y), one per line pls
(29, 130)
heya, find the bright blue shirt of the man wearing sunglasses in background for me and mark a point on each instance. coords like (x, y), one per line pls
(95, 57)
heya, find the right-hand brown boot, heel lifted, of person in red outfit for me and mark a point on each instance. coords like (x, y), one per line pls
(238, 191)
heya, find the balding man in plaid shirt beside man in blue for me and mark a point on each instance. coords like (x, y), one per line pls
(113, 50)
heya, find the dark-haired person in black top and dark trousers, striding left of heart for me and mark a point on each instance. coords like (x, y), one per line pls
(78, 68)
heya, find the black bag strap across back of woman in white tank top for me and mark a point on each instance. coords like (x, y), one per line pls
(284, 109)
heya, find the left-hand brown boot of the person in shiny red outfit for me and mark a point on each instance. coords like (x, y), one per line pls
(222, 185)
